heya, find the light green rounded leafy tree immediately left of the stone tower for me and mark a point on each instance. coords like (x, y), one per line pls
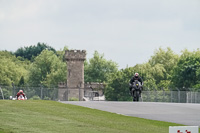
(47, 69)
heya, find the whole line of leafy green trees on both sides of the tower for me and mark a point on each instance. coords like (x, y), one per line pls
(43, 65)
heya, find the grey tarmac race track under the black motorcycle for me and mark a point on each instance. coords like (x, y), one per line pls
(181, 113)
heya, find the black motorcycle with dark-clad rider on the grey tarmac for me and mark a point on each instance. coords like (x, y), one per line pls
(136, 89)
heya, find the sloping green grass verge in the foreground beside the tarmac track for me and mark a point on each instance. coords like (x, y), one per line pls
(34, 116)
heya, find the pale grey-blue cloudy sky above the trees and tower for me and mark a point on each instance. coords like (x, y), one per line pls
(125, 31)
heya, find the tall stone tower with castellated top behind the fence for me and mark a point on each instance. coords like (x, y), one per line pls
(75, 76)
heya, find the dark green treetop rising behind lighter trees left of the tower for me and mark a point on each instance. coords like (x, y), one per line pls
(32, 51)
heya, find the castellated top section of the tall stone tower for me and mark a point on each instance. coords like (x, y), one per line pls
(75, 55)
